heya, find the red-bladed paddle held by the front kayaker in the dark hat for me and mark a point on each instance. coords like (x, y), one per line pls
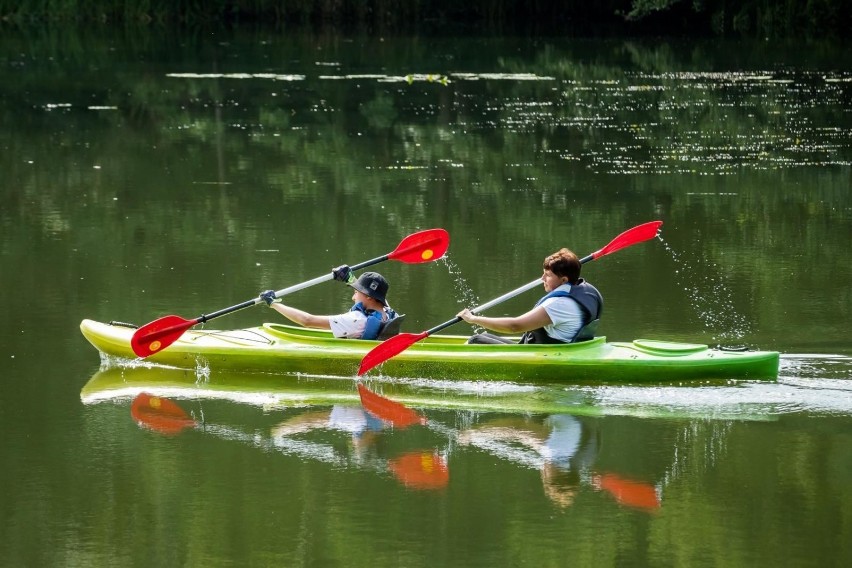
(416, 248)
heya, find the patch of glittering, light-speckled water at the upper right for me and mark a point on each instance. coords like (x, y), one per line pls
(757, 120)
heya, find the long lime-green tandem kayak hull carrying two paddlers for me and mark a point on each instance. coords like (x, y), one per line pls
(280, 348)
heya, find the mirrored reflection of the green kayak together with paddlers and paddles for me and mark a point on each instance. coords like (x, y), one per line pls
(346, 425)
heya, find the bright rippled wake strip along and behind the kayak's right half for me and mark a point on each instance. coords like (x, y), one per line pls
(709, 400)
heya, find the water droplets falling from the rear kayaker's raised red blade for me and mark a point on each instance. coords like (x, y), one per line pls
(713, 305)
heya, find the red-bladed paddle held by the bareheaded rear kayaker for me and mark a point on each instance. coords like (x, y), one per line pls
(399, 343)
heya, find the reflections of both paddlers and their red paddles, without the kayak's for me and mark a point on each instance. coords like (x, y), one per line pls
(561, 447)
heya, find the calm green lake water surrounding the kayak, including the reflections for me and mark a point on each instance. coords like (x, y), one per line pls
(146, 174)
